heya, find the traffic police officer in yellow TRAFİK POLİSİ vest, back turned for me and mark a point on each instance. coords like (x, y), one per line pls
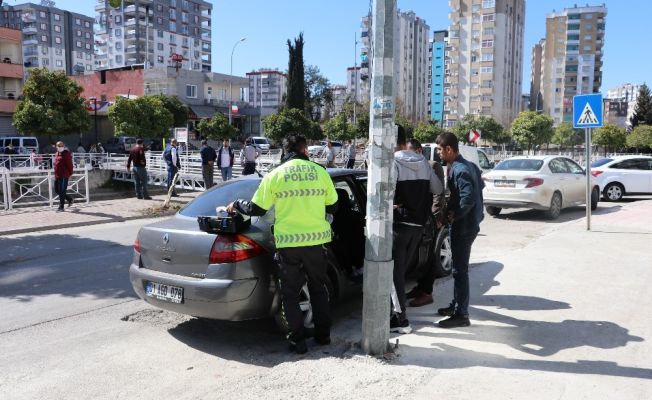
(301, 192)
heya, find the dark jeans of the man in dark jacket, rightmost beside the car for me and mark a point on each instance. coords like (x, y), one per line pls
(461, 249)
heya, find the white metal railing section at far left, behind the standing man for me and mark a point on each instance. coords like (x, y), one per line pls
(35, 187)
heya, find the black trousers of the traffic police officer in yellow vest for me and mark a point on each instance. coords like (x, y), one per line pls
(295, 265)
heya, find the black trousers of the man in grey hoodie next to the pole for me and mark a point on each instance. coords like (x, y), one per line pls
(406, 241)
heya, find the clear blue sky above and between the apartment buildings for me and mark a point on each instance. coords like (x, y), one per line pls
(329, 28)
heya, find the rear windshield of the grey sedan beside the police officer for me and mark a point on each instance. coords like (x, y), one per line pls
(221, 195)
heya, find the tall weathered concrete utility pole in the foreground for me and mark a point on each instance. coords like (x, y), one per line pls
(379, 264)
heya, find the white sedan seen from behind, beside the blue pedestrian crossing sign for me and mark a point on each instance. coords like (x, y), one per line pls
(548, 183)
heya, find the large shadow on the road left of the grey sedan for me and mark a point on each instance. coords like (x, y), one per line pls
(65, 265)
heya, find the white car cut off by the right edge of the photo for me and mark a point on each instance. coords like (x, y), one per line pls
(623, 175)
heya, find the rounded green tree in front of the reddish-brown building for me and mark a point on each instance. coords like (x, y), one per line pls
(144, 117)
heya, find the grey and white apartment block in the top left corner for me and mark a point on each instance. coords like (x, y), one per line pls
(52, 38)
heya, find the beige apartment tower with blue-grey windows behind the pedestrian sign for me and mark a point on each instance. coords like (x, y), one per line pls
(572, 58)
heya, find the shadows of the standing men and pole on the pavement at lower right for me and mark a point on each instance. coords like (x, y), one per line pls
(538, 338)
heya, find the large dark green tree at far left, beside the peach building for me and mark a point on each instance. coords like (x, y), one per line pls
(51, 105)
